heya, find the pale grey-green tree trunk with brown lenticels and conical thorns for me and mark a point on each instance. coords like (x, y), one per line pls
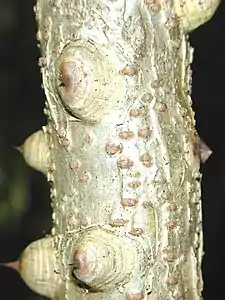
(122, 151)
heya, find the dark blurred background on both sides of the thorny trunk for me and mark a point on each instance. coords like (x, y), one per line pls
(21, 113)
